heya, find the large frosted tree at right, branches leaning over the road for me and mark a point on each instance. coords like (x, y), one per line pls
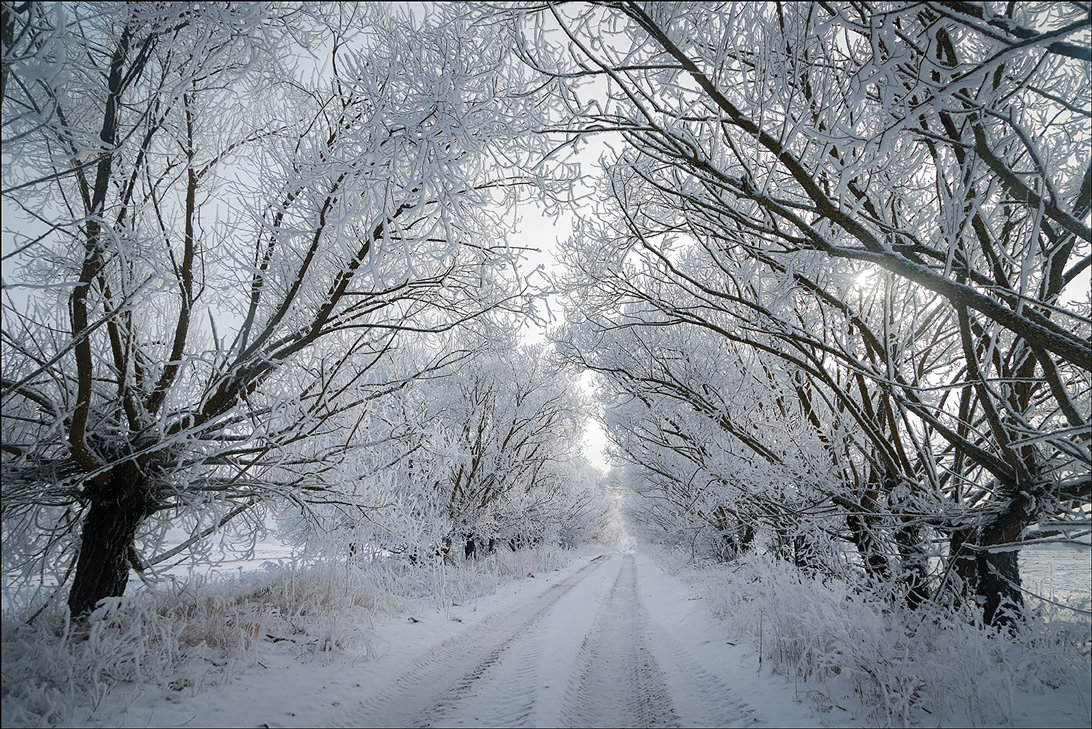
(941, 150)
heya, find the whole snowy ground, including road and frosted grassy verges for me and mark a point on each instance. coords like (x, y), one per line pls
(610, 639)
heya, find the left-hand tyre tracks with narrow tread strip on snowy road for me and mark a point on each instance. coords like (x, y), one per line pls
(444, 677)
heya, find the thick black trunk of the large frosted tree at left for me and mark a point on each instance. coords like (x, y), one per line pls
(110, 528)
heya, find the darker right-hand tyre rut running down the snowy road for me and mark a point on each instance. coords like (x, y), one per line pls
(619, 682)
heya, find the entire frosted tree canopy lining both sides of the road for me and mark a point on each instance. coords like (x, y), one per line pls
(832, 268)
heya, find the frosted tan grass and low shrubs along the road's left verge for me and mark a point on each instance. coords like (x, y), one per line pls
(181, 635)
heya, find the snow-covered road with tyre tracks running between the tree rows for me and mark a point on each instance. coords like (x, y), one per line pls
(587, 652)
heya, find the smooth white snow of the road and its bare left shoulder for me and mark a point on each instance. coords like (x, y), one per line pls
(612, 640)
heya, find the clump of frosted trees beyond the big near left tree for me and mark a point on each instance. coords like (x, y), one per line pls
(462, 461)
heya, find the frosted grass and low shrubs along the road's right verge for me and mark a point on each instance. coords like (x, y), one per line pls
(931, 667)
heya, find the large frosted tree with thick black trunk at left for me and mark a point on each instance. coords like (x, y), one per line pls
(220, 220)
